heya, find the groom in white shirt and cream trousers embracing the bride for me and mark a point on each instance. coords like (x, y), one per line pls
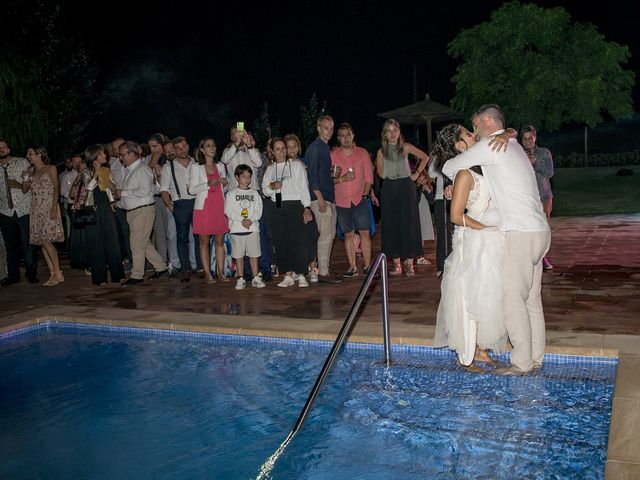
(527, 237)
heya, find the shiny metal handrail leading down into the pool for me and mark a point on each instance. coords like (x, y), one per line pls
(379, 263)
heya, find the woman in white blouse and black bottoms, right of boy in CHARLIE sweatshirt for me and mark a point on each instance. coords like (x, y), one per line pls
(293, 229)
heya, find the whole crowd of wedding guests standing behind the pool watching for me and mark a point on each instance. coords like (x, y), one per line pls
(249, 214)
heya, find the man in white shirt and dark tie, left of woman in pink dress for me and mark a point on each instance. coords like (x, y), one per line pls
(173, 188)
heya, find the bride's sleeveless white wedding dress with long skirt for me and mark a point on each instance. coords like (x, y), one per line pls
(470, 310)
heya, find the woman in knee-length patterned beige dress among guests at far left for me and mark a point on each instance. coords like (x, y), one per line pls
(45, 224)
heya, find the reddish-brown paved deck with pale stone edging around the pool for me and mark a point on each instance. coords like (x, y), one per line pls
(591, 300)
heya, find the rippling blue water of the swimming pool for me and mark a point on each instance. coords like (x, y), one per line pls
(104, 402)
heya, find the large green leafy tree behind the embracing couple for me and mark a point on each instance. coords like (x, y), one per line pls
(541, 68)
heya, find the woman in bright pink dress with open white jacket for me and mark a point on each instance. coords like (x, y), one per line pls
(207, 181)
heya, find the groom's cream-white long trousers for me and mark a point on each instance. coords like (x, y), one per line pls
(522, 300)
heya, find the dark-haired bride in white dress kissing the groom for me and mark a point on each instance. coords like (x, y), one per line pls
(470, 318)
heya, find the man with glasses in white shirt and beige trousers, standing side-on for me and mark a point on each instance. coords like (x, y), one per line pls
(137, 199)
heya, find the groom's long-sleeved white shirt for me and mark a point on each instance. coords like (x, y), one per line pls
(511, 180)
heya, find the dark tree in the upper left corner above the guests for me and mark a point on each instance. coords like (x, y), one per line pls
(48, 74)
